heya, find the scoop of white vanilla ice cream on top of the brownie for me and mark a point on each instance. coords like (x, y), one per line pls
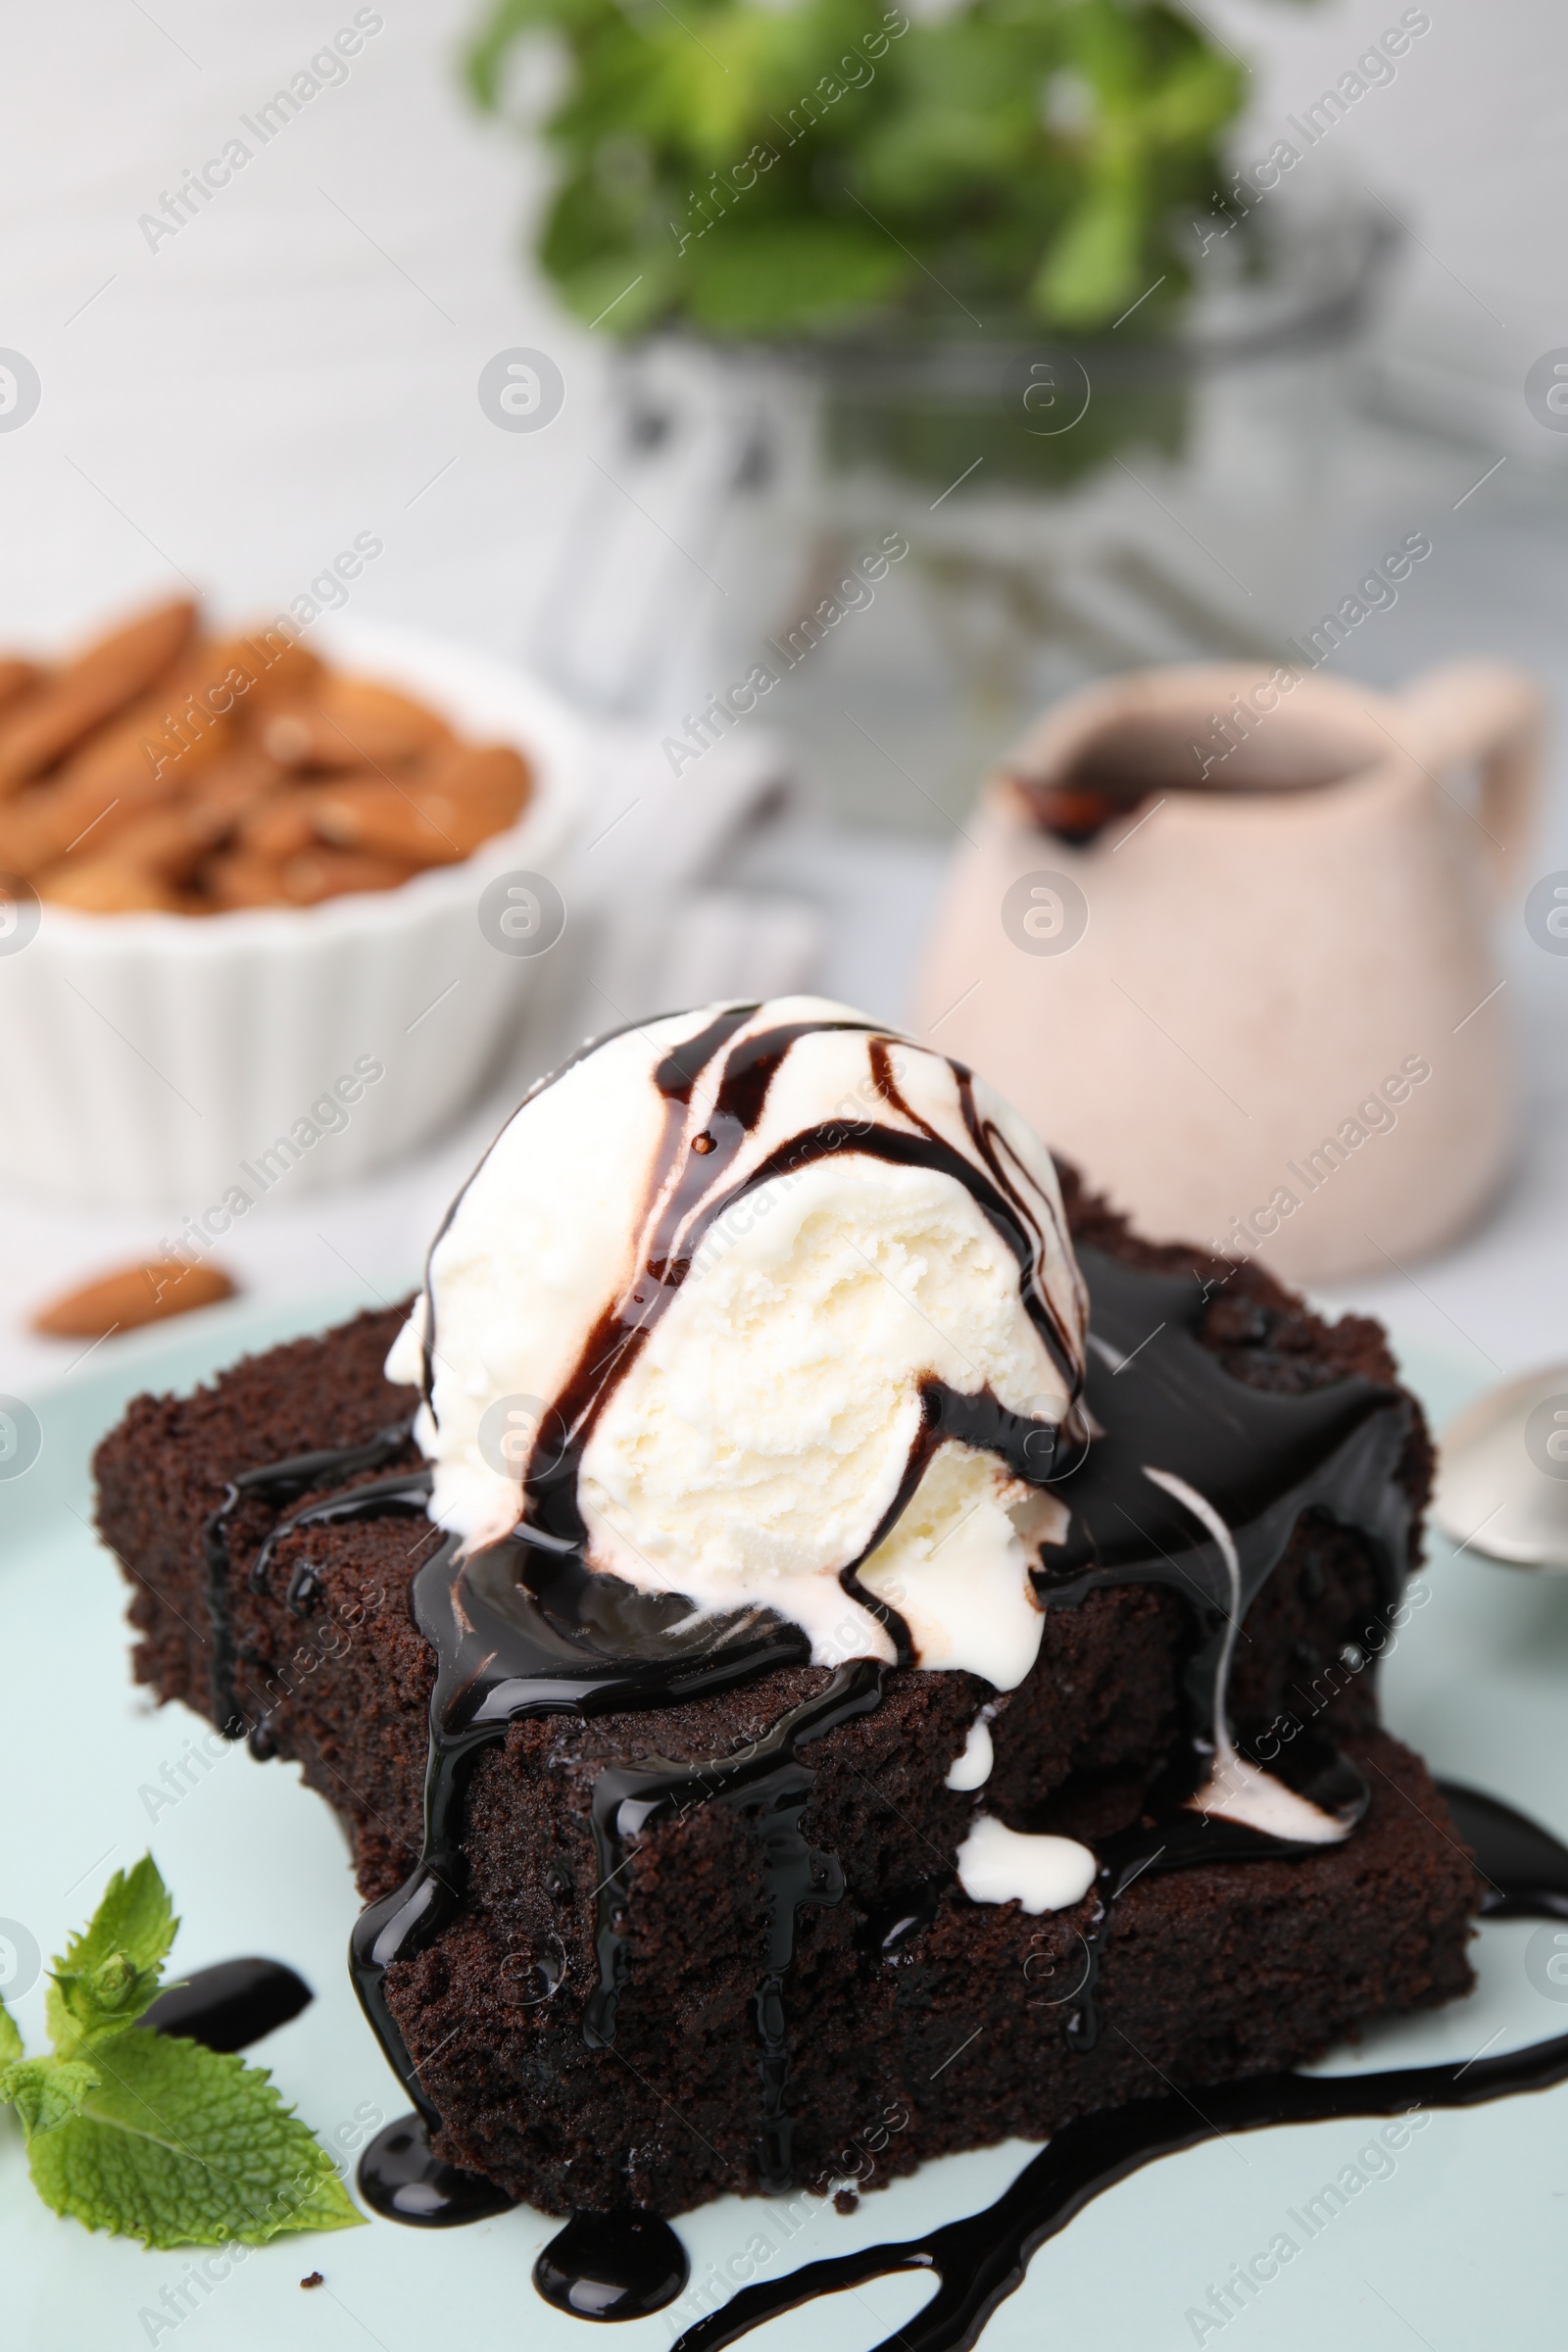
(760, 1429)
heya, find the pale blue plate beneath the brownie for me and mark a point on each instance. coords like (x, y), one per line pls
(1463, 2245)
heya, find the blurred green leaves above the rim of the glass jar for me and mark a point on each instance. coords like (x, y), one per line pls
(793, 171)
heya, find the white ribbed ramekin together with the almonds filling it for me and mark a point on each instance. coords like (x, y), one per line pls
(241, 867)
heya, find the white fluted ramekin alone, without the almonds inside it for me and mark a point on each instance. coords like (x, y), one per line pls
(159, 1062)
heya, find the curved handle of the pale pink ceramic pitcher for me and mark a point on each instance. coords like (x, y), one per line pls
(1496, 716)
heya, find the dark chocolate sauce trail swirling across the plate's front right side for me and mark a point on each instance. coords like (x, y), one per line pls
(984, 2259)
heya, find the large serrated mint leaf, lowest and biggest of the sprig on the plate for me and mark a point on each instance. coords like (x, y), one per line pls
(182, 2146)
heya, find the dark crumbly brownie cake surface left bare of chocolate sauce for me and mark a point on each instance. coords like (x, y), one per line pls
(1214, 1972)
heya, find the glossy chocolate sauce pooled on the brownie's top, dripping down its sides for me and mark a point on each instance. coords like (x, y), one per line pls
(528, 1629)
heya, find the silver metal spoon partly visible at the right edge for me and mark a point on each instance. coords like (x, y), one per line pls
(1503, 1474)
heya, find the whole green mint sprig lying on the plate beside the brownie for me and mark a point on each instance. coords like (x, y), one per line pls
(147, 2134)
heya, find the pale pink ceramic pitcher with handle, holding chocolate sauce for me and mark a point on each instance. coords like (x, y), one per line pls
(1224, 935)
